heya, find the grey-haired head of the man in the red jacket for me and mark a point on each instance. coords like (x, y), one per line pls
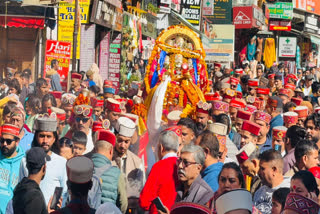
(168, 143)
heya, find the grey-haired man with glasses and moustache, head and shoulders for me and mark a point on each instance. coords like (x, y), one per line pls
(193, 188)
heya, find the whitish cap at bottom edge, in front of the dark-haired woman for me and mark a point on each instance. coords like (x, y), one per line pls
(239, 198)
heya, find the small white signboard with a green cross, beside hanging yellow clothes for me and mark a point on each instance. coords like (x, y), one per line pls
(287, 47)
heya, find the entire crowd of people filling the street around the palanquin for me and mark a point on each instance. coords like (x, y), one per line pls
(252, 147)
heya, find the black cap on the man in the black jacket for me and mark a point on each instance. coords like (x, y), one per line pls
(36, 158)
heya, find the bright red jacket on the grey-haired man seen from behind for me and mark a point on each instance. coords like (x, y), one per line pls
(162, 182)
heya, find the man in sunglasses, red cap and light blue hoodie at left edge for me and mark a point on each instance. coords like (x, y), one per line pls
(10, 159)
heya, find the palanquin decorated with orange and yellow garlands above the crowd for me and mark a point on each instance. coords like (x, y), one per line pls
(176, 73)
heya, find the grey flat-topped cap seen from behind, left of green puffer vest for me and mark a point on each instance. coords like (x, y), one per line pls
(80, 169)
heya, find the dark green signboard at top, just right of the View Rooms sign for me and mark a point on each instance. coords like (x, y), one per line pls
(222, 13)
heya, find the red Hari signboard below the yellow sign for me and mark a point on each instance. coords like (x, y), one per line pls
(60, 51)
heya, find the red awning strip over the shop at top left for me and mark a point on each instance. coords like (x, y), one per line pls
(23, 22)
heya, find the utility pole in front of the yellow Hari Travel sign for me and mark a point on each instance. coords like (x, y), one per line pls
(75, 38)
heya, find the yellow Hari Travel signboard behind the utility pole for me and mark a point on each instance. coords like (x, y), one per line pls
(66, 19)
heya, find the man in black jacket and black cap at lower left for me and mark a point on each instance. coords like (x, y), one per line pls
(28, 197)
